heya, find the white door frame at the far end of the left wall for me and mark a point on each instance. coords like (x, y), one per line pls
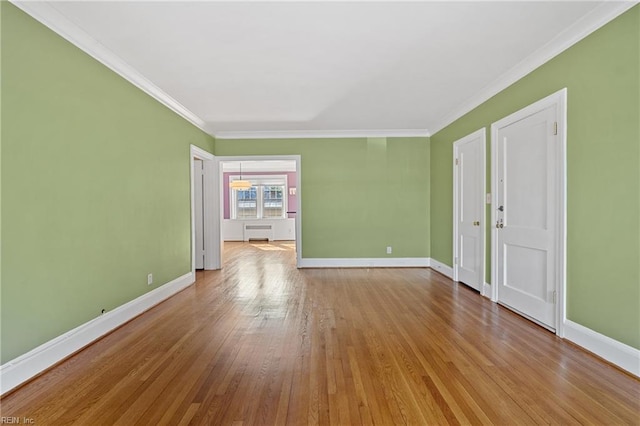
(211, 227)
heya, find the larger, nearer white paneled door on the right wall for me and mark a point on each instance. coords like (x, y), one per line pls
(527, 154)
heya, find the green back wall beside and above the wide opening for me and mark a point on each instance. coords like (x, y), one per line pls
(358, 195)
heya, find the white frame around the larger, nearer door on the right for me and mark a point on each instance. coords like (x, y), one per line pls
(558, 98)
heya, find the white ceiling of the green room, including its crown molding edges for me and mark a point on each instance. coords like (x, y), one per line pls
(240, 69)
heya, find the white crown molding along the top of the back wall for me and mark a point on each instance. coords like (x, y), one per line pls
(318, 134)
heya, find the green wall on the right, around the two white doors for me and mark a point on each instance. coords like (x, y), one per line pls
(602, 75)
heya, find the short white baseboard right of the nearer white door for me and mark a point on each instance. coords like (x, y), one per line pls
(624, 356)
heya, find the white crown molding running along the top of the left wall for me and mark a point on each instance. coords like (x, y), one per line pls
(47, 15)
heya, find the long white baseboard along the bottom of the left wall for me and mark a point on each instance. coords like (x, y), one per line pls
(34, 362)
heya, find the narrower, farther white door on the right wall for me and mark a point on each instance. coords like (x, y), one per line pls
(469, 178)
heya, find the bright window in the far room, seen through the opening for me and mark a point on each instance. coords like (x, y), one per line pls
(264, 200)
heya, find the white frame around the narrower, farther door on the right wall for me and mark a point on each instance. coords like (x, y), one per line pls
(482, 134)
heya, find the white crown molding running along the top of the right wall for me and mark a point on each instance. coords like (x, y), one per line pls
(598, 17)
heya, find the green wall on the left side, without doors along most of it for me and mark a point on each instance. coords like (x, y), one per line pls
(95, 187)
